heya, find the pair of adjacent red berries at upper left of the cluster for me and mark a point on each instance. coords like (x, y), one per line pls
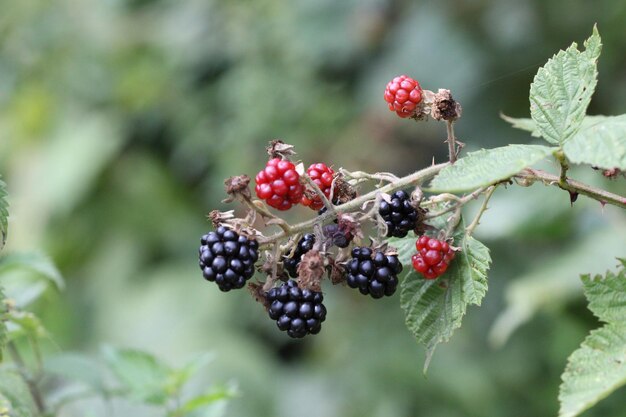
(279, 184)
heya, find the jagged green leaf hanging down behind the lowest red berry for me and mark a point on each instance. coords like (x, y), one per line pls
(435, 308)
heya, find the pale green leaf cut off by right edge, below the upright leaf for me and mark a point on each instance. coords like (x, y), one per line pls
(600, 142)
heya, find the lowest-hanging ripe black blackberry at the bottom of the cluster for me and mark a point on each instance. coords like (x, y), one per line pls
(298, 312)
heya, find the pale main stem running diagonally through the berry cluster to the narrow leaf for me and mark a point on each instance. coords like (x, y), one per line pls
(416, 178)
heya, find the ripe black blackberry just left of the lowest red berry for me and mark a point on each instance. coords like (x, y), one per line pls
(373, 272)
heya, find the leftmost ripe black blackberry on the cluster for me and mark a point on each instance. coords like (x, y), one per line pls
(227, 258)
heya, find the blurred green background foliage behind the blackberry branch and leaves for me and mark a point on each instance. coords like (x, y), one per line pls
(120, 119)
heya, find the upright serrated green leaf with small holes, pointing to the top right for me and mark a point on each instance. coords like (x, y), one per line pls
(561, 91)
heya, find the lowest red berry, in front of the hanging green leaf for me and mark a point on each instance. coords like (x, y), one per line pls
(432, 258)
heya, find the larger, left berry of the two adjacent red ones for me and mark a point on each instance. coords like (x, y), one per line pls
(279, 184)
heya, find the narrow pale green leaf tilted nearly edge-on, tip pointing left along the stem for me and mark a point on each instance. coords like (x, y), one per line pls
(487, 166)
